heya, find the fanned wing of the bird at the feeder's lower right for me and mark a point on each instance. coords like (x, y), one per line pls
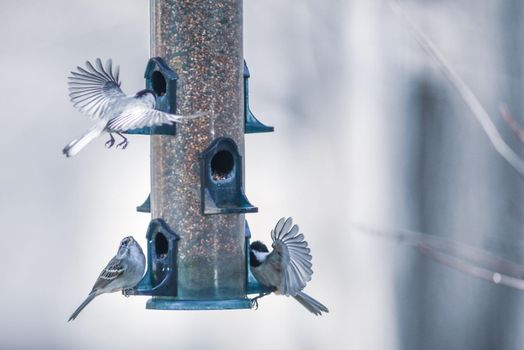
(291, 251)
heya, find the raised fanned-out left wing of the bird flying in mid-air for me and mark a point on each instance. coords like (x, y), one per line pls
(95, 89)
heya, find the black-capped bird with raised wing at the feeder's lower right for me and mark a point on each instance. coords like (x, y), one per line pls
(287, 269)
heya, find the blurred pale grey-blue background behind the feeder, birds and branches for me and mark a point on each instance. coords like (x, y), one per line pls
(367, 130)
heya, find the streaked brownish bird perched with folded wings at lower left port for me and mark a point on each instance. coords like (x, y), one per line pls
(123, 272)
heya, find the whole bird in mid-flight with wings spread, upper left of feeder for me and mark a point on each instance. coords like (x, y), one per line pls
(96, 92)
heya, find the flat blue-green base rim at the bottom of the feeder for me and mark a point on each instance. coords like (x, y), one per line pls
(166, 303)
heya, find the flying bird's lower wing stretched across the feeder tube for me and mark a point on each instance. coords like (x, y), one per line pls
(140, 115)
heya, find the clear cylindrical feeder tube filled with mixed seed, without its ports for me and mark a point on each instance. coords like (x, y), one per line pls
(201, 40)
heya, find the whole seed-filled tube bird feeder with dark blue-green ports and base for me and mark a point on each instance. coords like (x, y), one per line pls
(198, 238)
